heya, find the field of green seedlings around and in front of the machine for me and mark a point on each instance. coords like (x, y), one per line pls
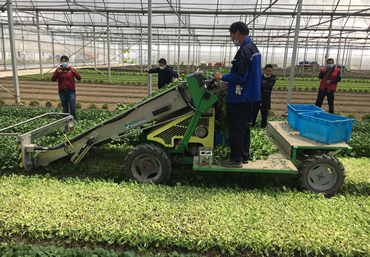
(212, 213)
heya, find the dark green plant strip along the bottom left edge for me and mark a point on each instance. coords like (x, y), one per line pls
(22, 250)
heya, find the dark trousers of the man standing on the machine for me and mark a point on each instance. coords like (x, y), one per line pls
(238, 122)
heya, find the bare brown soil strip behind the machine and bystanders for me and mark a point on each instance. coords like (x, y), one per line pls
(111, 94)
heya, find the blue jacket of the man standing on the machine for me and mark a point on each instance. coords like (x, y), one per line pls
(246, 72)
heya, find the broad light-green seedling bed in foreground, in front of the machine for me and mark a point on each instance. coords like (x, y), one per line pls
(226, 220)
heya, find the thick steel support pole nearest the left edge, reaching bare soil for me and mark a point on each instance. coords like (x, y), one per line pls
(12, 50)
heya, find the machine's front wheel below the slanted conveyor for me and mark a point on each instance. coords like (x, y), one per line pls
(147, 164)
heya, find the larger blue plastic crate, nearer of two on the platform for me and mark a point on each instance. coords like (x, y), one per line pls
(325, 127)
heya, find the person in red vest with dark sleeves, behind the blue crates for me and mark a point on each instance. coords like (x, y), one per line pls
(330, 76)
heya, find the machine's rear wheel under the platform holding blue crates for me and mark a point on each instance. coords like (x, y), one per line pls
(322, 174)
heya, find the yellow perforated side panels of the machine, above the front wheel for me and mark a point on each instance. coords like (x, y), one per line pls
(203, 134)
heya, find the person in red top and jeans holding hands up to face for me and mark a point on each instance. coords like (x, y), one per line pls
(65, 75)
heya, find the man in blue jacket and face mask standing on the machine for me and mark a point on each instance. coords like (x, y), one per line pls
(244, 88)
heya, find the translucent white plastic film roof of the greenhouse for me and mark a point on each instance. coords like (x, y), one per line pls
(207, 23)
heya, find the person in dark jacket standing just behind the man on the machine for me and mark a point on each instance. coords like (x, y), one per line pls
(267, 82)
